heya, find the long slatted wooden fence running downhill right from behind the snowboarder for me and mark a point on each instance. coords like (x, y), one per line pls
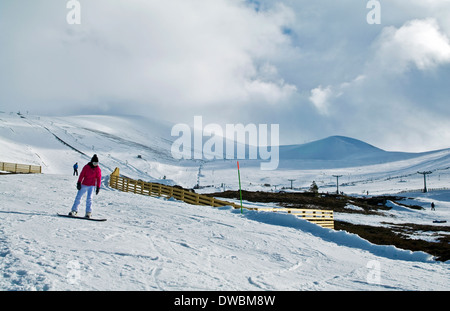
(323, 218)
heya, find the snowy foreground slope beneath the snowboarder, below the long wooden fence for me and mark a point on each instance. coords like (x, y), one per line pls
(156, 244)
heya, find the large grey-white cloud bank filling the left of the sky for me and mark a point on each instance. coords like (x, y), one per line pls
(160, 54)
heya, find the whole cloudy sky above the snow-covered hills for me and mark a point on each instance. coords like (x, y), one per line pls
(316, 68)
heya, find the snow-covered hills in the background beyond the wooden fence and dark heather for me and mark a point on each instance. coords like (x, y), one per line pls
(141, 148)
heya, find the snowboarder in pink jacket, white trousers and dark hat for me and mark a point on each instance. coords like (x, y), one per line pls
(88, 182)
